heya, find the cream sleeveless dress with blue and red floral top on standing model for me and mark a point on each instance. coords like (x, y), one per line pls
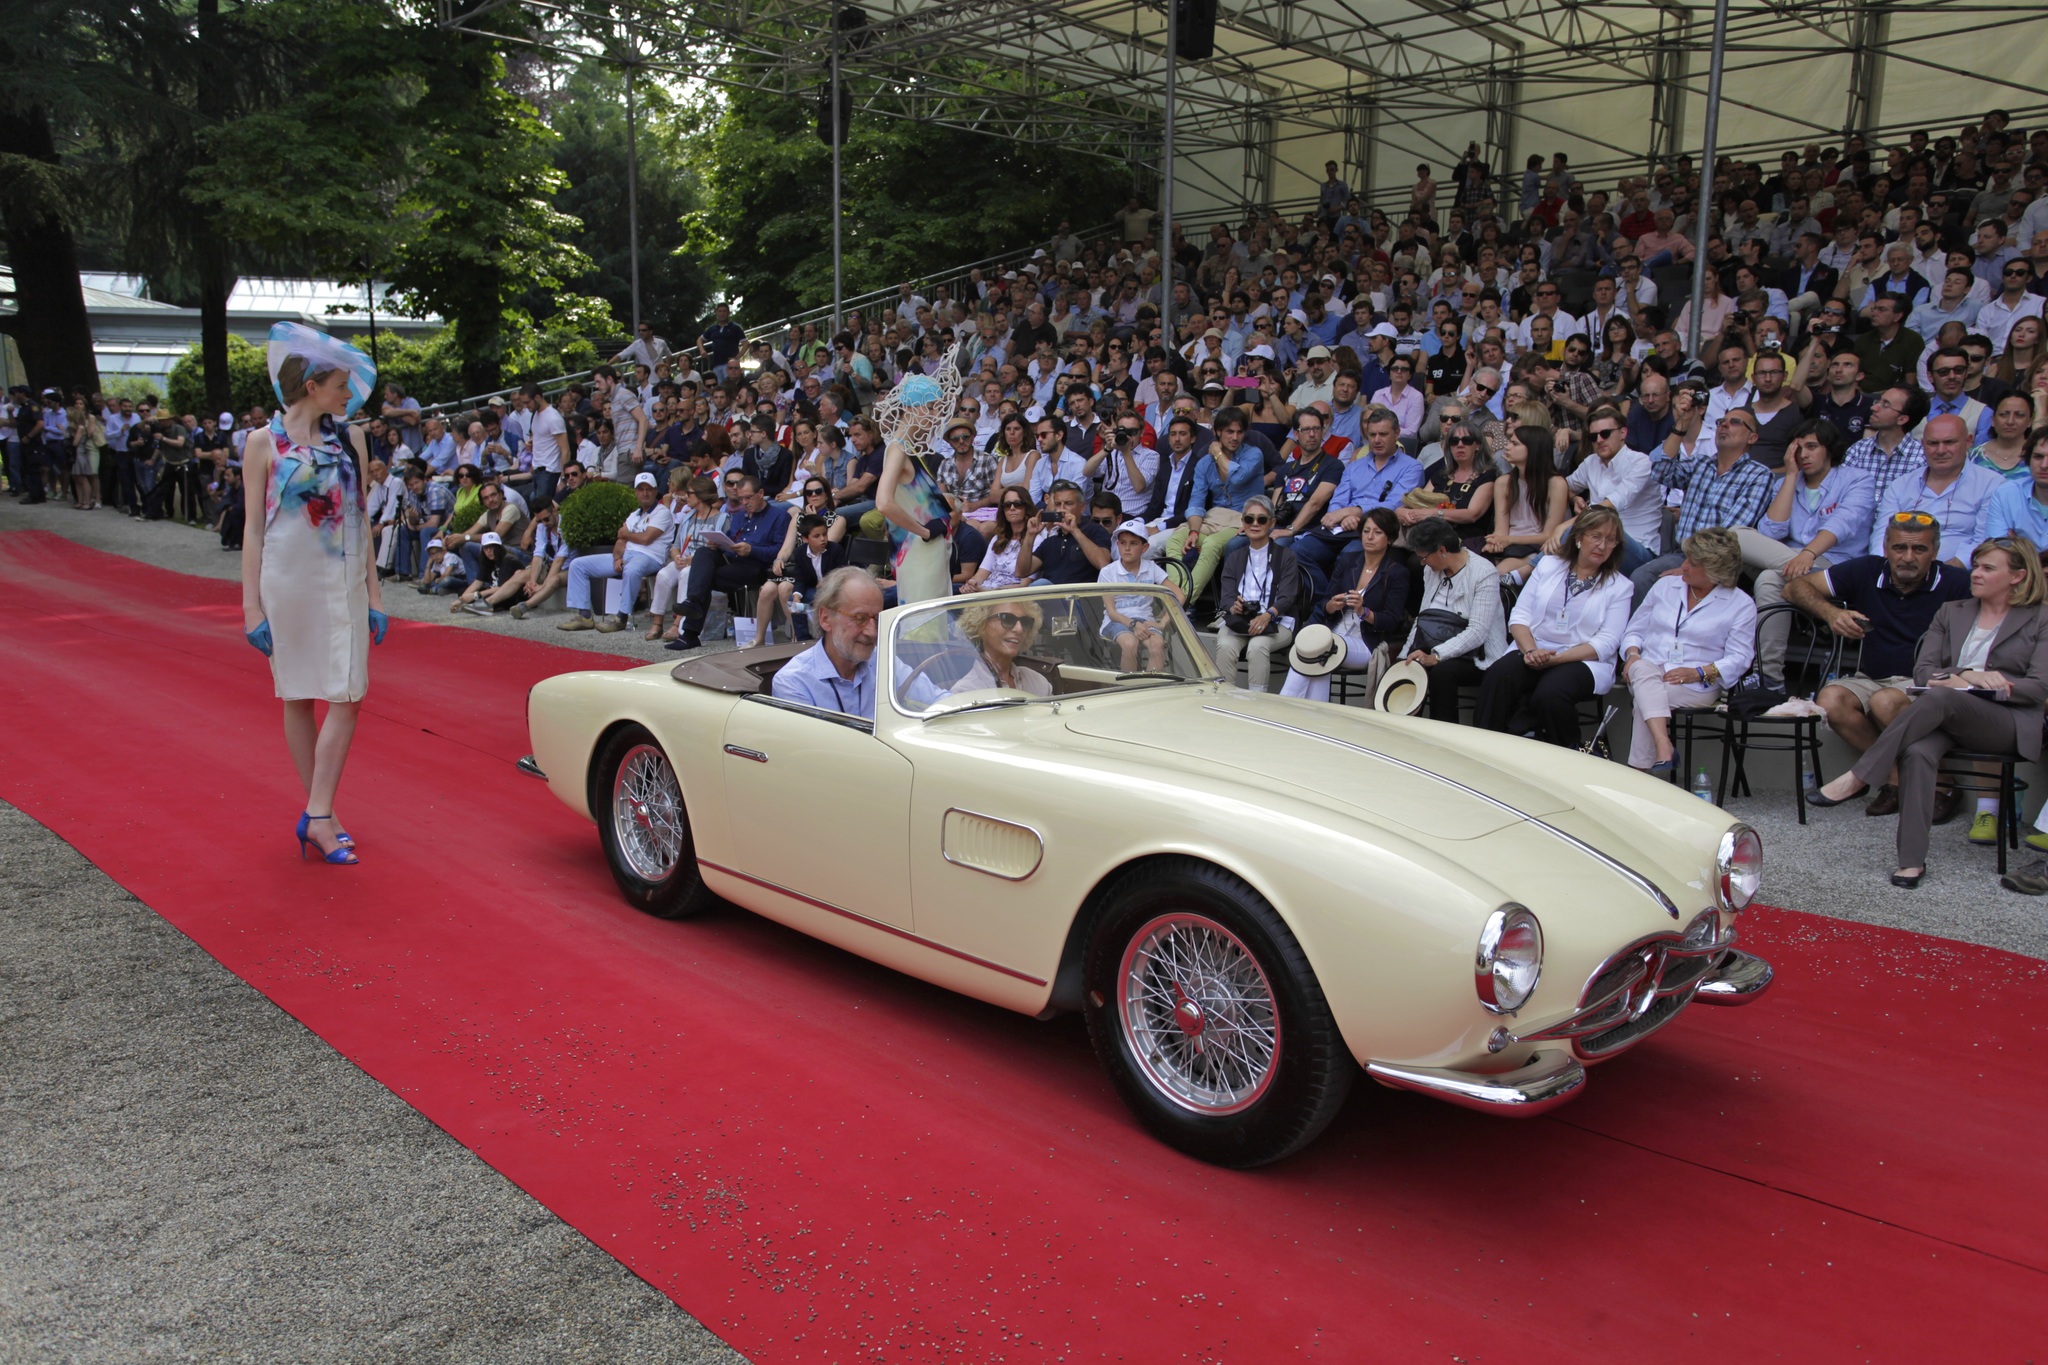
(314, 576)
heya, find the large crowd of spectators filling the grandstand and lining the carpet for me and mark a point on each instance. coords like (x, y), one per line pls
(1476, 437)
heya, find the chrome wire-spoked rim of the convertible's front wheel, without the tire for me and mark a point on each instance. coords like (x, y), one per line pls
(1199, 1014)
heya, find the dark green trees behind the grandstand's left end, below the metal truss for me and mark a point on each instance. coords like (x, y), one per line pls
(914, 197)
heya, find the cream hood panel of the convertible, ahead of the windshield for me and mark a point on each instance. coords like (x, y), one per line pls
(1326, 750)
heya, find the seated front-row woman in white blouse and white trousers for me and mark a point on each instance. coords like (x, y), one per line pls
(1693, 637)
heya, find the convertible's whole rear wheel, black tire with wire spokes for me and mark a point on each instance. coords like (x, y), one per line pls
(663, 885)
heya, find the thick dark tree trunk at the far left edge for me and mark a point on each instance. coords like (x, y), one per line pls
(52, 328)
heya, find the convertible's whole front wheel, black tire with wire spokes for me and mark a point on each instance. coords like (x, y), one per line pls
(1283, 1069)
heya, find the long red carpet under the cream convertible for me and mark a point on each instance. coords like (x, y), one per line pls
(830, 1163)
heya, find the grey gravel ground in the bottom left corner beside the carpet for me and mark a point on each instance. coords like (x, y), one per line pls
(191, 1176)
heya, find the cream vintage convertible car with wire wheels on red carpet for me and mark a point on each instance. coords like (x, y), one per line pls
(1250, 897)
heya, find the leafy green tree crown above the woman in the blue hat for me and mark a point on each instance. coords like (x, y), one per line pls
(417, 167)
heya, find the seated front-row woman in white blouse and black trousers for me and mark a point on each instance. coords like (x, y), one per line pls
(1568, 631)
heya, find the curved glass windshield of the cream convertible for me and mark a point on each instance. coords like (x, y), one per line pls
(1009, 650)
